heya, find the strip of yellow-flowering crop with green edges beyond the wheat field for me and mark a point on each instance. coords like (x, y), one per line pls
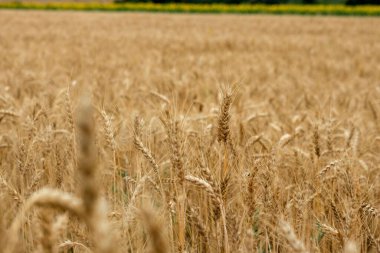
(202, 7)
